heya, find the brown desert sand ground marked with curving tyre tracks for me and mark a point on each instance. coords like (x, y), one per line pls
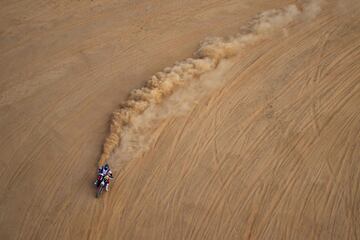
(272, 154)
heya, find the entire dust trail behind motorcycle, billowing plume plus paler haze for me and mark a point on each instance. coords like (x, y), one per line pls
(194, 76)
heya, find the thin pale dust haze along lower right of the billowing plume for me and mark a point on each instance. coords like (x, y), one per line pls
(138, 137)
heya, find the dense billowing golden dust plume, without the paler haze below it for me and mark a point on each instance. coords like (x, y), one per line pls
(206, 59)
